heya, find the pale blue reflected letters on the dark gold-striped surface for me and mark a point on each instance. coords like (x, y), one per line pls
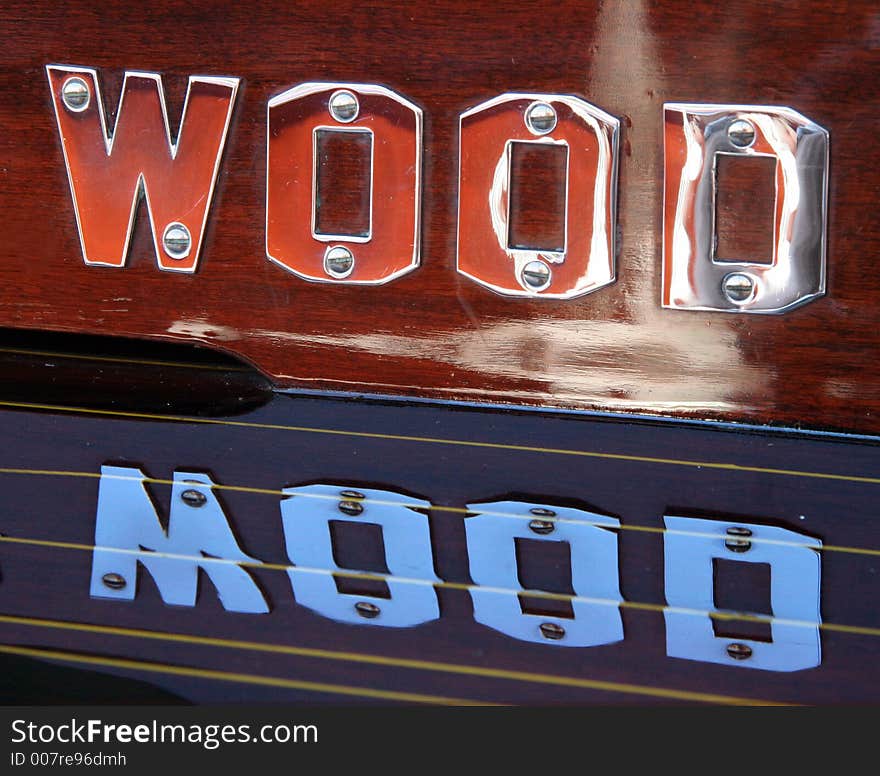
(199, 537)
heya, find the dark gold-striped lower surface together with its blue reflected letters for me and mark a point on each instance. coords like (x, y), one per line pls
(577, 558)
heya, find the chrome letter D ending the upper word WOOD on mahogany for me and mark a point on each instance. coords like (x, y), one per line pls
(694, 277)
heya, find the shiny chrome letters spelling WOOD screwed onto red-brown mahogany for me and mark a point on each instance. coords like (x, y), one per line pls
(108, 172)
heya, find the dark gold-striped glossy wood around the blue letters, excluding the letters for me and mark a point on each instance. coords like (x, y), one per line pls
(52, 582)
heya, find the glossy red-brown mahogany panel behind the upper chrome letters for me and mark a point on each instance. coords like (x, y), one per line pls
(434, 332)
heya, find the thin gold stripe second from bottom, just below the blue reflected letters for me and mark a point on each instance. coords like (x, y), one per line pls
(419, 665)
